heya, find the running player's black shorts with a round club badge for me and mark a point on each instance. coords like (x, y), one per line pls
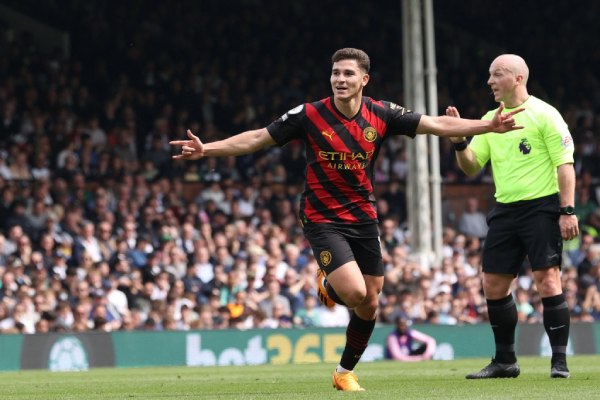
(335, 245)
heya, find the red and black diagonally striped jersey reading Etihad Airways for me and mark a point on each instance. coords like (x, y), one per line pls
(340, 155)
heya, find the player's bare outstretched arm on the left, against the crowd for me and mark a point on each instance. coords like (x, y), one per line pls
(242, 143)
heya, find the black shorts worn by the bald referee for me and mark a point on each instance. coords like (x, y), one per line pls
(524, 228)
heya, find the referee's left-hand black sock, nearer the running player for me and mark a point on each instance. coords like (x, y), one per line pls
(503, 319)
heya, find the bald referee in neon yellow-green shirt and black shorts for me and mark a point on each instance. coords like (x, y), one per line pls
(535, 185)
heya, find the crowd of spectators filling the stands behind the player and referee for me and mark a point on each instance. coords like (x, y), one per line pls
(101, 231)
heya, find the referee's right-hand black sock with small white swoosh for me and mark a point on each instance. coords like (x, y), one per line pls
(557, 322)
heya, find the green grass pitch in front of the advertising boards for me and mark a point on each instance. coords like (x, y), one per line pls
(384, 380)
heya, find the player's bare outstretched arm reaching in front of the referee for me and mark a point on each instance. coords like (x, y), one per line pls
(447, 126)
